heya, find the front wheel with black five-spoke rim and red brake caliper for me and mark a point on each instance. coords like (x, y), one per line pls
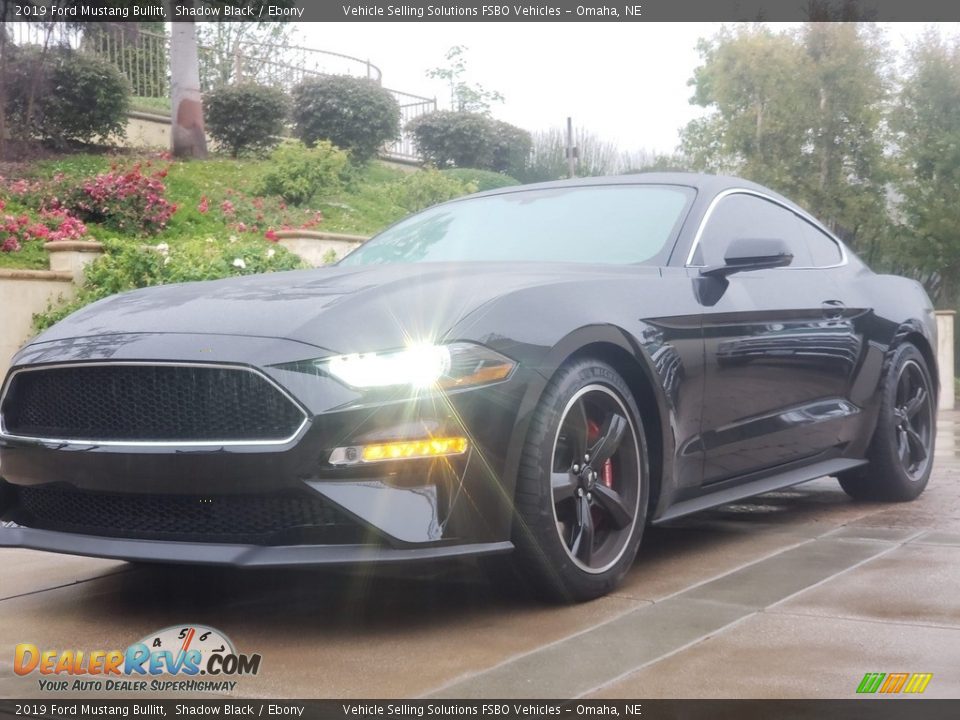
(578, 521)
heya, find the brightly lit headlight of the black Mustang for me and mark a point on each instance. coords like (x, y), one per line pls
(422, 366)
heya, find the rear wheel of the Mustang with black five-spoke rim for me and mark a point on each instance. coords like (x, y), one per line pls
(900, 454)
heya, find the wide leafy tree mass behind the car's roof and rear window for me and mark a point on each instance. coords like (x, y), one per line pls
(802, 112)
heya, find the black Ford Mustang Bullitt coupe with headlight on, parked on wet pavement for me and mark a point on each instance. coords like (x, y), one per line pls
(543, 369)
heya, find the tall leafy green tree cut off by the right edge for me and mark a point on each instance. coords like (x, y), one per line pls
(927, 125)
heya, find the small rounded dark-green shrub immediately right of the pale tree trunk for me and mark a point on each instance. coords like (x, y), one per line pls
(246, 117)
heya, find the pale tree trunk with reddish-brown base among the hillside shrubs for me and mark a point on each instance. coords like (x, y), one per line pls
(187, 138)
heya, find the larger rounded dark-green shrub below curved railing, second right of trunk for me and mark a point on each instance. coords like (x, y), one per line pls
(355, 114)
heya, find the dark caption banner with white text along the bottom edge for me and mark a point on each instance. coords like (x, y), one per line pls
(868, 709)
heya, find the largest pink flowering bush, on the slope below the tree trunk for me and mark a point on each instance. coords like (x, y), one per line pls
(128, 201)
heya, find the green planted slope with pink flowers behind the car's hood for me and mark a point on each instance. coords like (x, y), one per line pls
(162, 220)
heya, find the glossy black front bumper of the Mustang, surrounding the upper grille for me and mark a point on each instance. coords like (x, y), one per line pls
(399, 510)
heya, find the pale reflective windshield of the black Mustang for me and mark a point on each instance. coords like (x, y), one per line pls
(616, 224)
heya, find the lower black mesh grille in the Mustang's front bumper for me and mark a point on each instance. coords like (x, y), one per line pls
(263, 519)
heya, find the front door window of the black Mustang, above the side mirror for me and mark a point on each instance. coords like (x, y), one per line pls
(748, 216)
